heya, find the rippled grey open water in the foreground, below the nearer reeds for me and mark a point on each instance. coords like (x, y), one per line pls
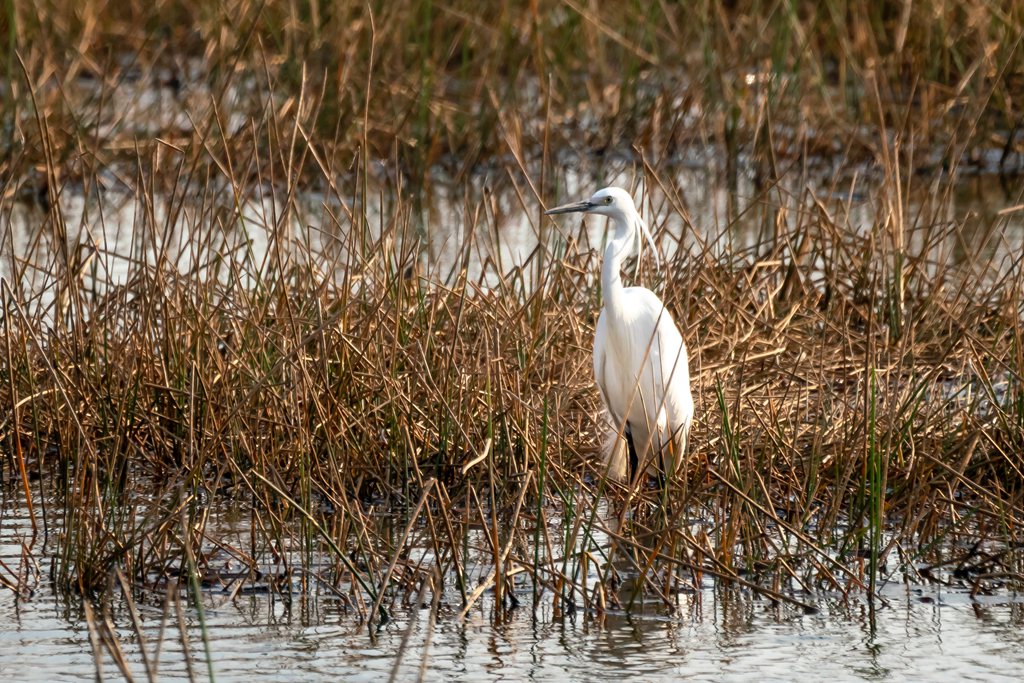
(924, 633)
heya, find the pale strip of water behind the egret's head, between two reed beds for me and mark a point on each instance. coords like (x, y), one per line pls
(485, 226)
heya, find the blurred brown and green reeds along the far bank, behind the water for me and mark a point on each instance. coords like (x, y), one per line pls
(426, 84)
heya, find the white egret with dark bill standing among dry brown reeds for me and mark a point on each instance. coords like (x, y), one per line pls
(641, 362)
